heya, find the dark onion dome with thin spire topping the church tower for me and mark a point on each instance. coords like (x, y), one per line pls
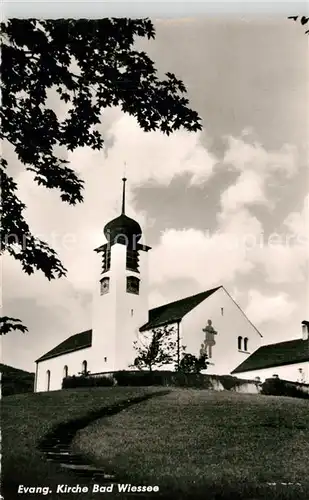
(123, 229)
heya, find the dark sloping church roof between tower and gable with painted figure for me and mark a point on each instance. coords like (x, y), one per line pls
(175, 311)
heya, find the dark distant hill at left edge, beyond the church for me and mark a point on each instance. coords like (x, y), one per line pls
(15, 381)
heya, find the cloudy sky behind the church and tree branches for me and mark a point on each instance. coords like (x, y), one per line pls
(228, 205)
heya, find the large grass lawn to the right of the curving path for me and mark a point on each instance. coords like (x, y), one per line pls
(210, 445)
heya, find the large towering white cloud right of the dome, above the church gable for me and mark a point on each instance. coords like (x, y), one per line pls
(238, 246)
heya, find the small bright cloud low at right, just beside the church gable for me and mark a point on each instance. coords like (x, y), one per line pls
(263, 309)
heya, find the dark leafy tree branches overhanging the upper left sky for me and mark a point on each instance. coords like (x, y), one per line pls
(92, 65)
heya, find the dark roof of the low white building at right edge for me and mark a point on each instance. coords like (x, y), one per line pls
(272, 355)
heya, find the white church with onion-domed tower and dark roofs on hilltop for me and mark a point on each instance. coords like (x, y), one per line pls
(210, 321)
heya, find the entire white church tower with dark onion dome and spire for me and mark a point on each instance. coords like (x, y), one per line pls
(120, 304)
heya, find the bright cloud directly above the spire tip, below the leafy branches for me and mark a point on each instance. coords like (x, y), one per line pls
(157, 157)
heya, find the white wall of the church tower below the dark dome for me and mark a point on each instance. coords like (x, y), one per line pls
(117, 314)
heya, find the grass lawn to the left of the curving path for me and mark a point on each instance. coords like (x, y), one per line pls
(26, 418)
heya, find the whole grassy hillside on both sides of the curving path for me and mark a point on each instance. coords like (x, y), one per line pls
(192, 443)
